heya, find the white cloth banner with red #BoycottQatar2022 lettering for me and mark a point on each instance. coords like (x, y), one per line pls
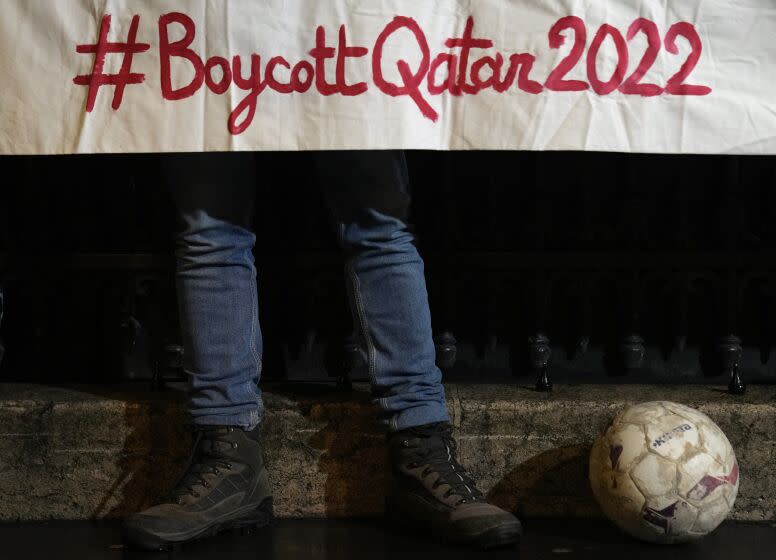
(680, 76)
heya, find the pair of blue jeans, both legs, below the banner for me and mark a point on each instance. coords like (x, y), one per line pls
(368, 196)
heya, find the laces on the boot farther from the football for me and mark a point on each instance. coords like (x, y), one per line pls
(204, 459)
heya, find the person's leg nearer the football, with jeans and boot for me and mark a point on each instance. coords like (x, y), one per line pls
(369, 196)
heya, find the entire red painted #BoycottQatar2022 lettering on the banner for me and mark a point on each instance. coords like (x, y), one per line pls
(460, 71)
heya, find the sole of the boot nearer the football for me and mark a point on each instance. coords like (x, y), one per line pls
(502, 536)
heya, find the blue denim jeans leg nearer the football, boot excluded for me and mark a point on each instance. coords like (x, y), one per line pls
(368, 193)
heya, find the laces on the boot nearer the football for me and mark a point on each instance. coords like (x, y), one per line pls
(442, 459)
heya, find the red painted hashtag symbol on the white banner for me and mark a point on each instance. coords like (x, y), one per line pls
(125, 77)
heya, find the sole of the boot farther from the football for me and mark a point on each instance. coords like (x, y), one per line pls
(260, 517)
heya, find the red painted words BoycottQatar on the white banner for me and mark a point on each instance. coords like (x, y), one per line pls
(461, 76)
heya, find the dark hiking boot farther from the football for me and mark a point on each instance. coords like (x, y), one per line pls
(225, 486)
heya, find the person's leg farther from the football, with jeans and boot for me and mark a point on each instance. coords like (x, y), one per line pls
(225, 484)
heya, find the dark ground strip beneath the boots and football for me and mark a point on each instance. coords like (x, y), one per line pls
(370, 540)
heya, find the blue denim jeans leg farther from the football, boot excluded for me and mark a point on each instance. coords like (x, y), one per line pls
(216, 283)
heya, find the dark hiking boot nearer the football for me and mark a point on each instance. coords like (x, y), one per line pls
(432, 491)
